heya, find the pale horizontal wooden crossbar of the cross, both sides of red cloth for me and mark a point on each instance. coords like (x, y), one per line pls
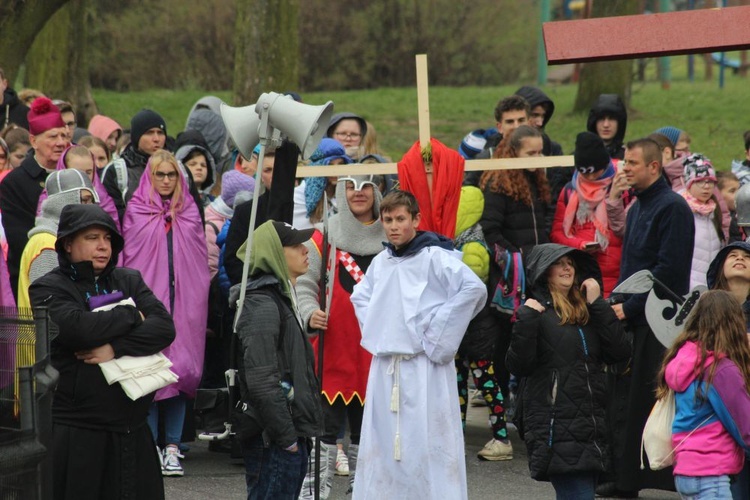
(471, 165)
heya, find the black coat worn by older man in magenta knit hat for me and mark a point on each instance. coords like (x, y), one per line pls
(19, 196)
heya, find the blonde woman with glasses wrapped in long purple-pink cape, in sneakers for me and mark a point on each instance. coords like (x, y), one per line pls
(165, 242)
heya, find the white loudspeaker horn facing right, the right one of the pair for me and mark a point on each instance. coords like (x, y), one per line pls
(303, 124)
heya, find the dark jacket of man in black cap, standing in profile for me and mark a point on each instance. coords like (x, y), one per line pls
(266, 362)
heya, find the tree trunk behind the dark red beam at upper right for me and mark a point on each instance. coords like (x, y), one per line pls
(609, 77)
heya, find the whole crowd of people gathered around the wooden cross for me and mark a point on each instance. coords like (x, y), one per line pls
(372, 300)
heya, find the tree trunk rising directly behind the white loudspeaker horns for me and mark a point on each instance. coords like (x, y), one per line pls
(266, 56)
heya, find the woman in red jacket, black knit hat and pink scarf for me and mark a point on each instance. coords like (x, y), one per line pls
(581, 218)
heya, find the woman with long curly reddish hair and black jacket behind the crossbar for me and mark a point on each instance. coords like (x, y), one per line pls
(517, 216)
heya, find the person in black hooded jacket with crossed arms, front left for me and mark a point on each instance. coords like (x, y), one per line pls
(102, 447)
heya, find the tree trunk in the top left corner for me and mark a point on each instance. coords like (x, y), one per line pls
(19, 23)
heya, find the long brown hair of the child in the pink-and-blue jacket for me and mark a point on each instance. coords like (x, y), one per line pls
(717, 325)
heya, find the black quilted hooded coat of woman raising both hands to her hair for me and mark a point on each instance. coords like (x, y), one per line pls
(563, 397)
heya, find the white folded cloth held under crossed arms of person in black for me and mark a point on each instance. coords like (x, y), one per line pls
(138, 375)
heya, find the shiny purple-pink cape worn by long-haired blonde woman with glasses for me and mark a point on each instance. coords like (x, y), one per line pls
(144, 230)
